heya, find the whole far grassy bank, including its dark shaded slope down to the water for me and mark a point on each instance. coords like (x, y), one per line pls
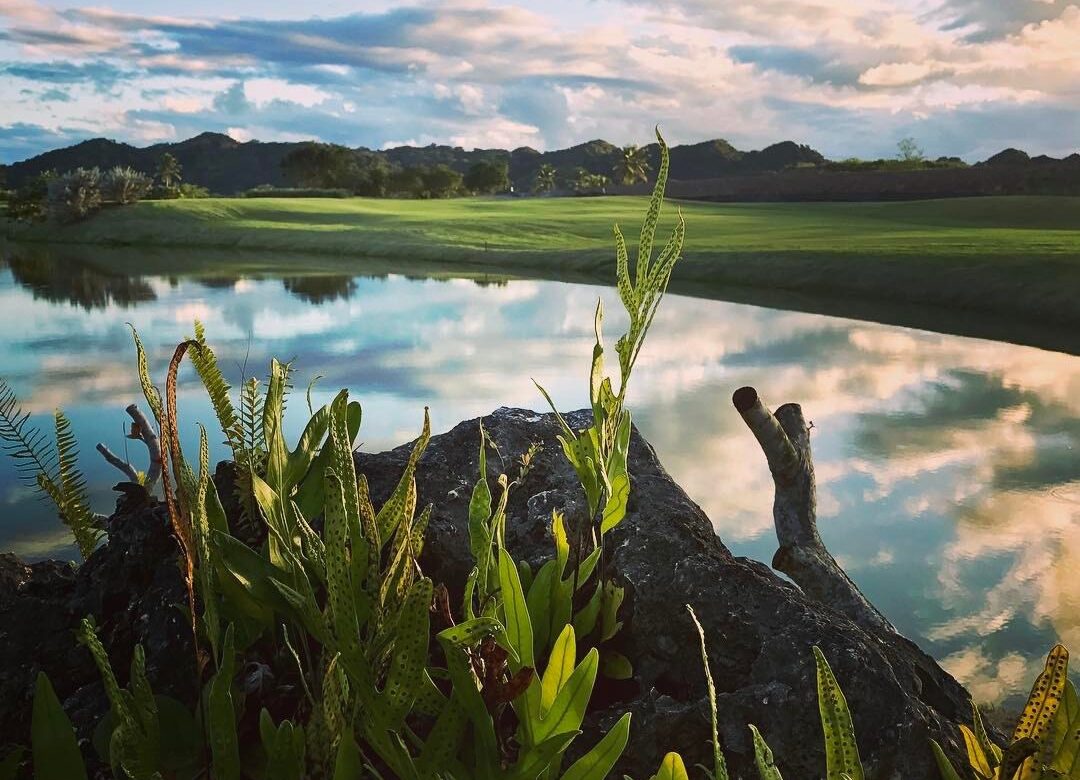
(951, 286)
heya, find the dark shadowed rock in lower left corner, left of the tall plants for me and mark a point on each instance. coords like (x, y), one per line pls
(132, 588)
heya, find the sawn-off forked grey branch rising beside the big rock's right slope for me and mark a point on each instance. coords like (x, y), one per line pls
(786, 440)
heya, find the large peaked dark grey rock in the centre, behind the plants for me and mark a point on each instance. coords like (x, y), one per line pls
(760, 628)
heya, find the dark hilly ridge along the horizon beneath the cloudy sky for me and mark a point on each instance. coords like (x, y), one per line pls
(711, 170)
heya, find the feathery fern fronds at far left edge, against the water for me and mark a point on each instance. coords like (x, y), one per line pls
(51, 468)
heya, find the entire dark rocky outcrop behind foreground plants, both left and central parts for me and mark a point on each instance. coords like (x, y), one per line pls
(760, 627)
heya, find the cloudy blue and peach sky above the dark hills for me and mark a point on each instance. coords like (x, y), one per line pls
(965, 78)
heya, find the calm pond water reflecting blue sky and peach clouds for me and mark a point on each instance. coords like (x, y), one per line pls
(949, 468)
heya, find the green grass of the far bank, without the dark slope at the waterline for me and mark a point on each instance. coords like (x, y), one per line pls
(1011, 258)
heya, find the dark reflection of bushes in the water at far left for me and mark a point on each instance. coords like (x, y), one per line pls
(64, 281)
